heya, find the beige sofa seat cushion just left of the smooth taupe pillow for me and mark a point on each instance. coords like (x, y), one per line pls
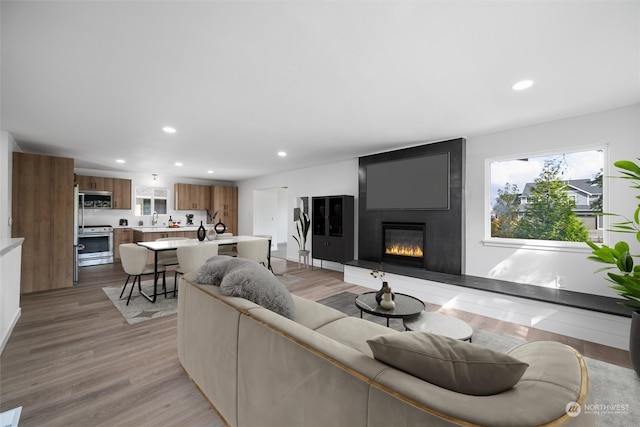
(354, 332)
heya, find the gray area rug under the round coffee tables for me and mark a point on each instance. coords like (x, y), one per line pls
(615, 389)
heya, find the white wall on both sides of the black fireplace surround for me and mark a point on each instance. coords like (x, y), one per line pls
(618, 128)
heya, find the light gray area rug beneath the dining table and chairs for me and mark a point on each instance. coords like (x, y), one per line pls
(140, 309)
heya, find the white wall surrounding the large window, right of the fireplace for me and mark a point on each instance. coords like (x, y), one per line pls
(619, 129)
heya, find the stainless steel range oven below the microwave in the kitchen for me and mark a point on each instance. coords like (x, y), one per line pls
(95, 245)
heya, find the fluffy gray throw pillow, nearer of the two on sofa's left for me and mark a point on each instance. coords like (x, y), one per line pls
(253, 281)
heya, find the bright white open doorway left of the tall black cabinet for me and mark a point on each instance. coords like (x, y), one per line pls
(270, 217)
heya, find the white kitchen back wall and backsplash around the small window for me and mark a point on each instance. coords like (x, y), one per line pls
(112, 216)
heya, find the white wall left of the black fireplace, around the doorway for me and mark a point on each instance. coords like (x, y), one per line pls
(326, 180)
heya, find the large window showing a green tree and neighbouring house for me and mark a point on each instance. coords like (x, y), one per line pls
(553, 197)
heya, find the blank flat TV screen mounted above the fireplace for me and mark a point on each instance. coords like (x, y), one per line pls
(411, 183)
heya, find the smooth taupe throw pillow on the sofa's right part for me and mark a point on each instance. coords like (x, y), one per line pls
(449, 363)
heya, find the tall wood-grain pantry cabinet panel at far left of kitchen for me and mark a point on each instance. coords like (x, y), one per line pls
(42, 212)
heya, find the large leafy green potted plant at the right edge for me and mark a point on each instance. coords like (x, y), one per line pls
(625, 278)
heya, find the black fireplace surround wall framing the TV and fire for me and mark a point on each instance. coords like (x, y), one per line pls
(444, 228)
